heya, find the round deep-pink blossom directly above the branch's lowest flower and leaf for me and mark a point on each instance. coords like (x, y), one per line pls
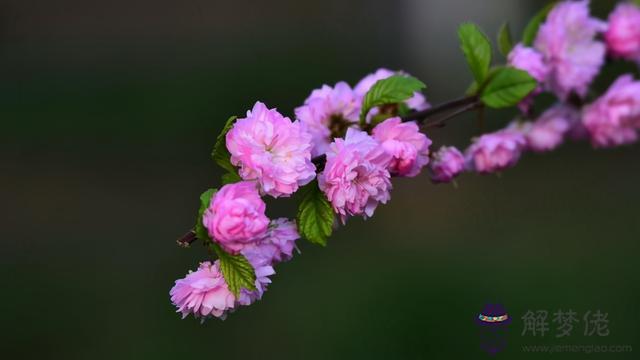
(235, 218)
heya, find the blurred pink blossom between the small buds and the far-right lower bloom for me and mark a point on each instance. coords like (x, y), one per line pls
(549, 130)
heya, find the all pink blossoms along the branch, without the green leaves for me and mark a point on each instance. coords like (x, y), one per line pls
(354, 163)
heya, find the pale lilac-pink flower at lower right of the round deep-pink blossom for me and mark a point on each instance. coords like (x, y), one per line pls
(276, 245)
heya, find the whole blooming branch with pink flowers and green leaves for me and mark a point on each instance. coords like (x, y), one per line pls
(346, 143)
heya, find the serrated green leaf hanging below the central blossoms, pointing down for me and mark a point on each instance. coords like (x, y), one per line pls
(315, 216)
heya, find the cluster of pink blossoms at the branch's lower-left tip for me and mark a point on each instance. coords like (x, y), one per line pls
(235, 220)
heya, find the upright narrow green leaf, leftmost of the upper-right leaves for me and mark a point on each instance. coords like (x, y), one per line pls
(477, 49)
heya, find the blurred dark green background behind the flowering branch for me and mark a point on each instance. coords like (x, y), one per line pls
(109, 111)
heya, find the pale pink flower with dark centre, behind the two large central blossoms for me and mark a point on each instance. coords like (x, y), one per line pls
(325, 109)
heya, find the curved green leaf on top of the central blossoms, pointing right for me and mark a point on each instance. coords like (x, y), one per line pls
(394, 89)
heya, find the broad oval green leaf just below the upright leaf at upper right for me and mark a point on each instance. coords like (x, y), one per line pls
(507, 87)
